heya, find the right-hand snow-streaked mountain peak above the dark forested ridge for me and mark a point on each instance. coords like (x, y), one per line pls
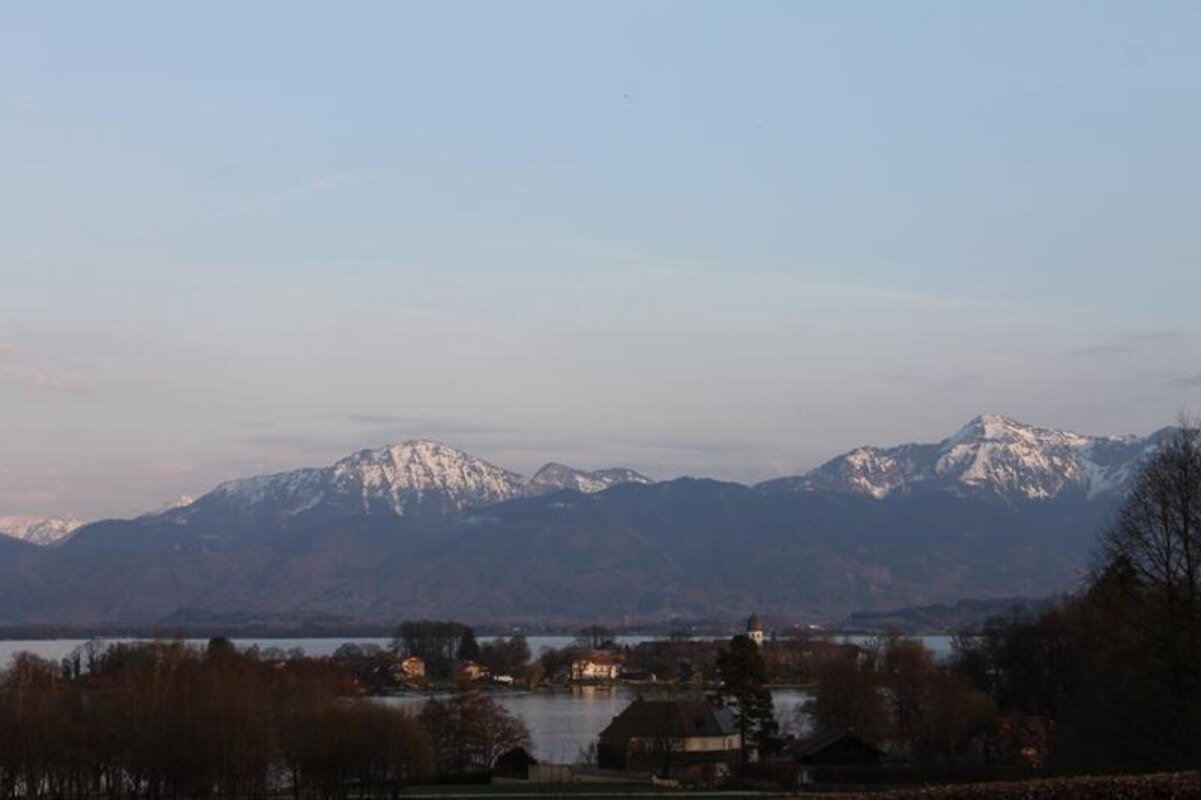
(993, 455)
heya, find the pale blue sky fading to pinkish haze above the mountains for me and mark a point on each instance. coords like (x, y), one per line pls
(727, 240)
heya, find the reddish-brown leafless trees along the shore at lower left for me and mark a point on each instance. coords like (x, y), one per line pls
(164, 720)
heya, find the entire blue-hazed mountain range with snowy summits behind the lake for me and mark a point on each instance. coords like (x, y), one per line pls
(996, 510)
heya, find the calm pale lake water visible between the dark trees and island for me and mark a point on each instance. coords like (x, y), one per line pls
(561, 723)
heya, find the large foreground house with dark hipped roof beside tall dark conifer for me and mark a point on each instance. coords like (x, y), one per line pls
(671, 737)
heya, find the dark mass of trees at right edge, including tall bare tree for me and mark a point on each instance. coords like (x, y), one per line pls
(1118, 670)
